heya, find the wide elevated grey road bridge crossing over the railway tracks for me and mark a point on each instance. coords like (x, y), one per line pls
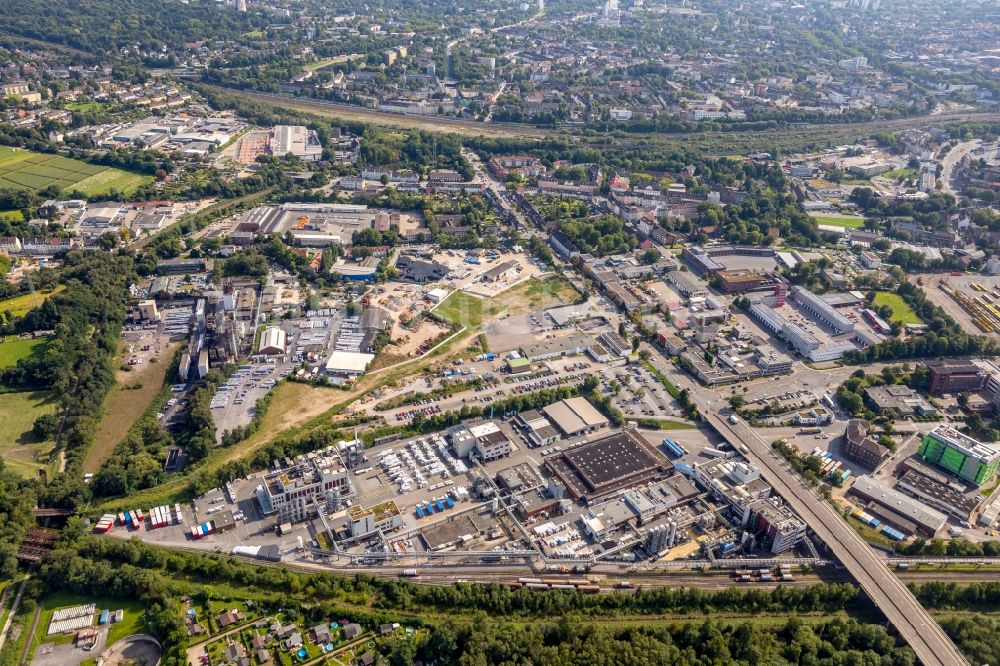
(928, 640)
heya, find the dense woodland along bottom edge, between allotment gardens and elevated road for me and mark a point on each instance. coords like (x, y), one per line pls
(567, 643)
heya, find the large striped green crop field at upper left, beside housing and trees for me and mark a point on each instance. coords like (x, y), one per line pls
(27, 170)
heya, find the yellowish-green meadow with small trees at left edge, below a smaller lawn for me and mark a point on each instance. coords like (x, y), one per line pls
(19, 448)
